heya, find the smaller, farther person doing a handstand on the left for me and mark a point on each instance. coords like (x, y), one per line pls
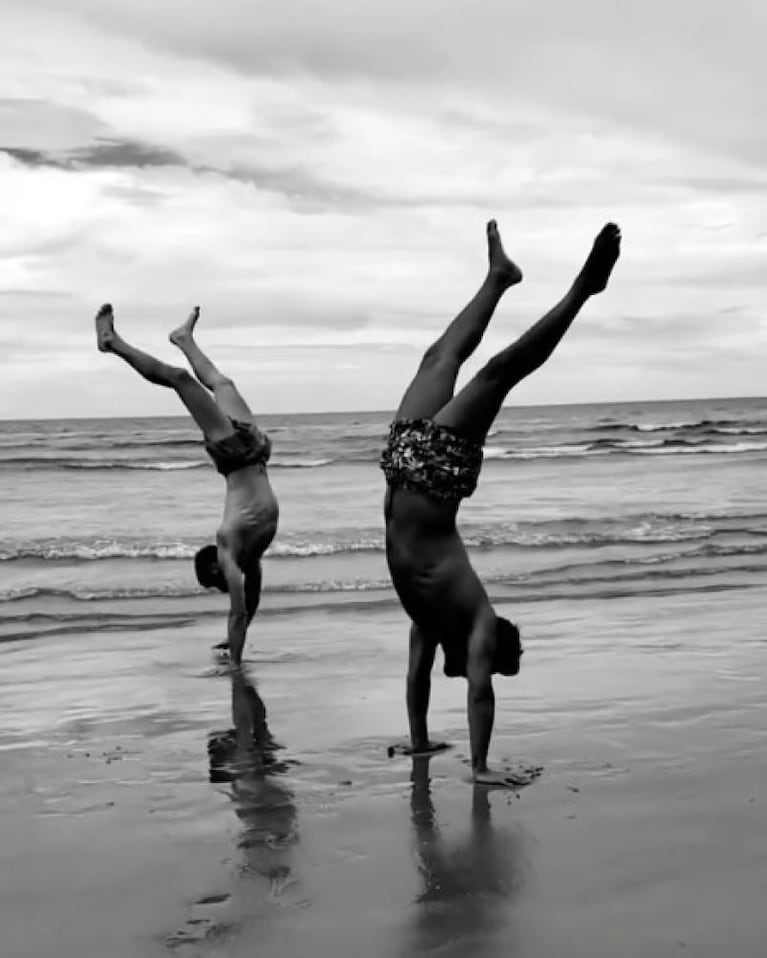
(240, 452)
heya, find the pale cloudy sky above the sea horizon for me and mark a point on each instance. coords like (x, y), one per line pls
(317, 177)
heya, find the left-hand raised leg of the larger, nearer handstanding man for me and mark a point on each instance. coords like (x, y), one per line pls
(434, 382)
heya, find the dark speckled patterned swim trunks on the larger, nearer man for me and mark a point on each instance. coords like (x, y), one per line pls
(432, 459)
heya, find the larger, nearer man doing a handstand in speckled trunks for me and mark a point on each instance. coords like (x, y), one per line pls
(431, 462)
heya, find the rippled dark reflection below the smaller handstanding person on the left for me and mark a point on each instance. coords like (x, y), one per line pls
(245, 756)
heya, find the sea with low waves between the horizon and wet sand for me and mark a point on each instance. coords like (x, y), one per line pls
(99, 518)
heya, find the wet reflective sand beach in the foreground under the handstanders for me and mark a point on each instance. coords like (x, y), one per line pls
(646, 834)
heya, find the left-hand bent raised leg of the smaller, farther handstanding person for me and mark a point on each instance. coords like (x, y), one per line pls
(211, 420)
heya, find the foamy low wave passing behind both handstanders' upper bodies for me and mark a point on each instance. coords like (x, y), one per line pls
(632, 529)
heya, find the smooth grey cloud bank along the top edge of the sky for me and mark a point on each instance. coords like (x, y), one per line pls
(675, 68)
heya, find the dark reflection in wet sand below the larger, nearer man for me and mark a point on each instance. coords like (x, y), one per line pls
(468, 885)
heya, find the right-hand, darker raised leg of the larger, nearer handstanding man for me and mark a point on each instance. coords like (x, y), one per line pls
(473, 410)
